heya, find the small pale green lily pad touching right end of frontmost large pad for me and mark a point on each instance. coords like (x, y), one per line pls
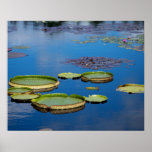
(96, 98)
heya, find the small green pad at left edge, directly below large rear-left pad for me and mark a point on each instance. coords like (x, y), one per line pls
(16, 90)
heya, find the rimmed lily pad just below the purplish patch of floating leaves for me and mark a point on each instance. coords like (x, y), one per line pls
(97, 77)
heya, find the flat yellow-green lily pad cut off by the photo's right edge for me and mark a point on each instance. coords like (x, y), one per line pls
(131, 88)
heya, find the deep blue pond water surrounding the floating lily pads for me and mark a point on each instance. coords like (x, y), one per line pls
(46, 54)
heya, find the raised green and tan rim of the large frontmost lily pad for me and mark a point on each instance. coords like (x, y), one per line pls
(59, 107)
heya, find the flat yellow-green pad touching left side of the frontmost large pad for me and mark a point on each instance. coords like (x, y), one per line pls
(24, 97)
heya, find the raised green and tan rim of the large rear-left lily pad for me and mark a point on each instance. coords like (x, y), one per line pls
(35, 88)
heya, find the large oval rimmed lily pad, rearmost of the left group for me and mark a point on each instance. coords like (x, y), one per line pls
(35, 82)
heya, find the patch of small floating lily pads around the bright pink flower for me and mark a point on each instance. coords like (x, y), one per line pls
(134, 43)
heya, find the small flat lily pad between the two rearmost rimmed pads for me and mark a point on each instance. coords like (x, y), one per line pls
(69, 75)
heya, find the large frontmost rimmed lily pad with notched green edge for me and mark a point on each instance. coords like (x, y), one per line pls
(59, 101)
